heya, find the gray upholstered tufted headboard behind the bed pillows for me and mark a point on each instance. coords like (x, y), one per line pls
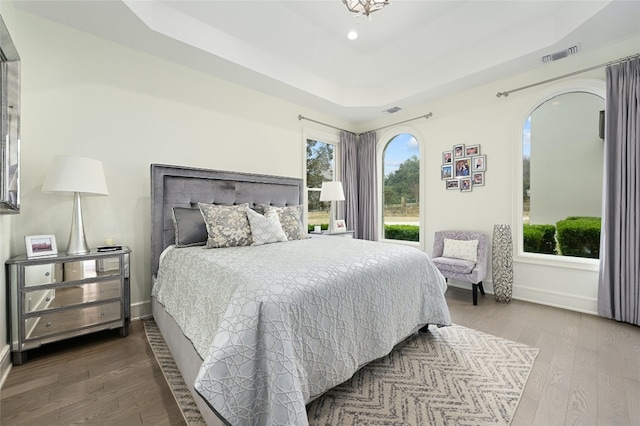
(177, 186)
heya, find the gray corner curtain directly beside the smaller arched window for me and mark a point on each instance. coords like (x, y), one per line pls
(367, 188)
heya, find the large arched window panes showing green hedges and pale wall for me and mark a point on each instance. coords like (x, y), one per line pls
(562, 169)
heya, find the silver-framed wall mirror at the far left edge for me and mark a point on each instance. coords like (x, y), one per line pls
(10, 106)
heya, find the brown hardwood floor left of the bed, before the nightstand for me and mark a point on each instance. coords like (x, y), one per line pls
(101, 379)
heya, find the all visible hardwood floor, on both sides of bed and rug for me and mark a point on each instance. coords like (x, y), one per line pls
(587, 372)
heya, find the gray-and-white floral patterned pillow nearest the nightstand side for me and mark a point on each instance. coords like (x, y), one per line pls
(227, 226)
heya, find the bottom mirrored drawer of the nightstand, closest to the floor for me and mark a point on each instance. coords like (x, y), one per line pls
(64, 321)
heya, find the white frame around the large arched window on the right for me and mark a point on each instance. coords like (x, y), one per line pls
(593, 86)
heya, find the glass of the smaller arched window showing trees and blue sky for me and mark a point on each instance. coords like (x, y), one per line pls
(401, 188)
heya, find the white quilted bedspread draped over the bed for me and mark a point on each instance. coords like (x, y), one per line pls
(279, 324)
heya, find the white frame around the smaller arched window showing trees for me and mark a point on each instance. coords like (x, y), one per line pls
(382, 141)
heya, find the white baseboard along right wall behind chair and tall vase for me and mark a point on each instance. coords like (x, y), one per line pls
(571, 302)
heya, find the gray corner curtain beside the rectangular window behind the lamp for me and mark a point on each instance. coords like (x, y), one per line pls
(349, 177)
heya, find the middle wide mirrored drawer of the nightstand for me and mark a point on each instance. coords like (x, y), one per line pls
(43, 300)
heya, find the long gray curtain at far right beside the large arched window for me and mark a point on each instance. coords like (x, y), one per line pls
(619, 285)
